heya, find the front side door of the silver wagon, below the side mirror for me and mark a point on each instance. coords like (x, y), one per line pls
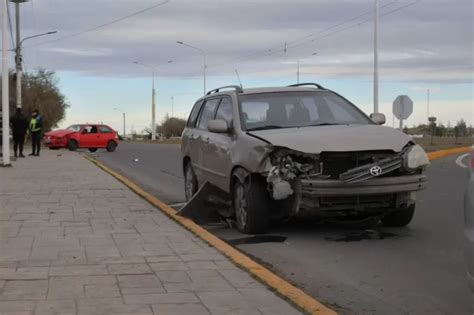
(216, 149)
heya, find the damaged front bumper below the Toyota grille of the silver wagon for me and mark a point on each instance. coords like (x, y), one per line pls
(313, 196)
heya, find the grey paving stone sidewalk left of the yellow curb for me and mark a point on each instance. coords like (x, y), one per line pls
(75, 241)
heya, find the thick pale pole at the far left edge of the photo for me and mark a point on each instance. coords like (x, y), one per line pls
(5, 92)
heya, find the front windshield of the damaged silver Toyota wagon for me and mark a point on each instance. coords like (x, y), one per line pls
(297, 109)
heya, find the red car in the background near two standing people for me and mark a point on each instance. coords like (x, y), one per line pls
(88, 136)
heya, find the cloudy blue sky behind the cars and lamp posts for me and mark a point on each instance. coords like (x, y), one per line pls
(423, 44)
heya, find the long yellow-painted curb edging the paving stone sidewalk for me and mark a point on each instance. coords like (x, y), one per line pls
(279, 285)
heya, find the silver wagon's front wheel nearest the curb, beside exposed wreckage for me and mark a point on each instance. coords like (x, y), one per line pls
(251, 202)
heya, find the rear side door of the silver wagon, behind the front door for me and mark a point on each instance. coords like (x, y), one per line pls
(202, 138)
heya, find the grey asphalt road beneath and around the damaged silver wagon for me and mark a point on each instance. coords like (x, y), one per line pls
(416, 270)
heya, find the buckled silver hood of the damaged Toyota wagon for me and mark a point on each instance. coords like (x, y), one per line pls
(338, 138)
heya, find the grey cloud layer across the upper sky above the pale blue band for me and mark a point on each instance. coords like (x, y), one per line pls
(428, 35)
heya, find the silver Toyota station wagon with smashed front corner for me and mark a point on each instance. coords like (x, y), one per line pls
(299, 151)
